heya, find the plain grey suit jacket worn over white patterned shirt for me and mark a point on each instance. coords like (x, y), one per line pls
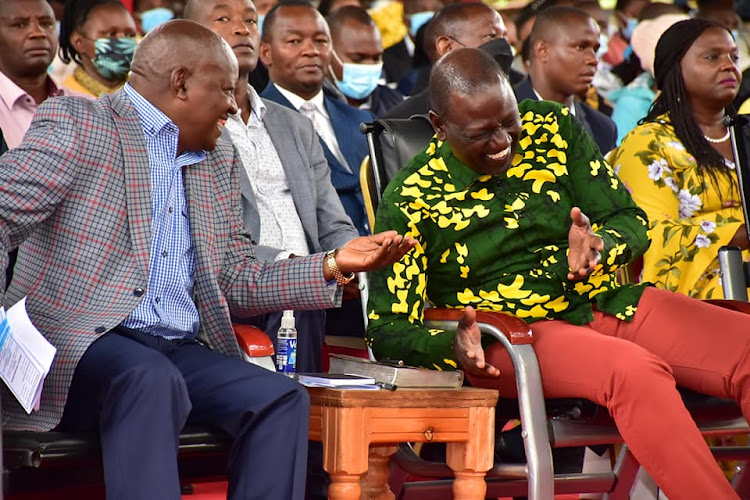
(319, 208)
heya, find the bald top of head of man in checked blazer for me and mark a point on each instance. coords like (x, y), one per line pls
(176, 44)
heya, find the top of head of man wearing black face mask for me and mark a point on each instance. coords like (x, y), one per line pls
(462, 25)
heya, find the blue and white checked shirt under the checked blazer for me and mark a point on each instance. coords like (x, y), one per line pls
(167, 308)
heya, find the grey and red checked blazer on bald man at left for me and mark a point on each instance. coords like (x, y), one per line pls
(77, 193)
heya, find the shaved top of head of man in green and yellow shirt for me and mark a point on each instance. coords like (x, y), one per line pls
(463, 72)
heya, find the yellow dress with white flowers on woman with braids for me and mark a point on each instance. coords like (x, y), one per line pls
(691, 216)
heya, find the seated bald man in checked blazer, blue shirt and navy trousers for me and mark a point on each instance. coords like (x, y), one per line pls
(134, 254)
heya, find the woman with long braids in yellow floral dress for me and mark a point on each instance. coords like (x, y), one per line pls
(678, 162)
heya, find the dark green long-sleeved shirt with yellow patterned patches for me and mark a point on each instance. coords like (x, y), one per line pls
(500, 242)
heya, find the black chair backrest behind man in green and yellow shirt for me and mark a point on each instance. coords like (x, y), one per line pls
(391, 144)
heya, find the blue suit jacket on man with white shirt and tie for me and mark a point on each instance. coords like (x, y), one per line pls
(345, 120)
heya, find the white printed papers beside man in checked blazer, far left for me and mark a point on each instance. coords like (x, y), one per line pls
(25, 356)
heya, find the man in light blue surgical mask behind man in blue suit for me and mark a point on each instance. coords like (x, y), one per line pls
(356, 64)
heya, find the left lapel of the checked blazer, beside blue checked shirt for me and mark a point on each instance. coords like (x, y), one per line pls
(137, 176)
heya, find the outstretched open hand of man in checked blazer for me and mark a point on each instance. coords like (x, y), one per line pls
(372, 252)
